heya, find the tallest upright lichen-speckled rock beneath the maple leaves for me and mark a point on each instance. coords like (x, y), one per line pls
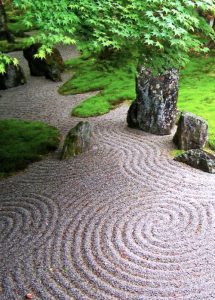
(155, 107)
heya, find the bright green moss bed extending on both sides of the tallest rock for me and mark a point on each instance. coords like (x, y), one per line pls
(116, 84)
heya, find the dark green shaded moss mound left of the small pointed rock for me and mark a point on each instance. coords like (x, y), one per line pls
(22, 142)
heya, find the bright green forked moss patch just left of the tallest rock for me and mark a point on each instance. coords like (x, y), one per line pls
(116, 84)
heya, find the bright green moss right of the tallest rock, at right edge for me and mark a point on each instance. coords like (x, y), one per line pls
(197, 91)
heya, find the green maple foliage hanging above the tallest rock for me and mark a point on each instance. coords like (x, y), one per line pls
(163, 32)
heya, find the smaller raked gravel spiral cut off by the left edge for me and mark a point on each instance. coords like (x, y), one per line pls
(22, 217)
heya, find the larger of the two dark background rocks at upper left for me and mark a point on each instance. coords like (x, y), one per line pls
(50, 67)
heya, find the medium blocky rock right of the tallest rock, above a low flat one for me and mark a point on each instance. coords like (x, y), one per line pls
(192, 132)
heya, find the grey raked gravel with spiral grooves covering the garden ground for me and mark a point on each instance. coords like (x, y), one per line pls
(122, 221)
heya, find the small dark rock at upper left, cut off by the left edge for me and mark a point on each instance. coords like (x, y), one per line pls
(13, 77)
